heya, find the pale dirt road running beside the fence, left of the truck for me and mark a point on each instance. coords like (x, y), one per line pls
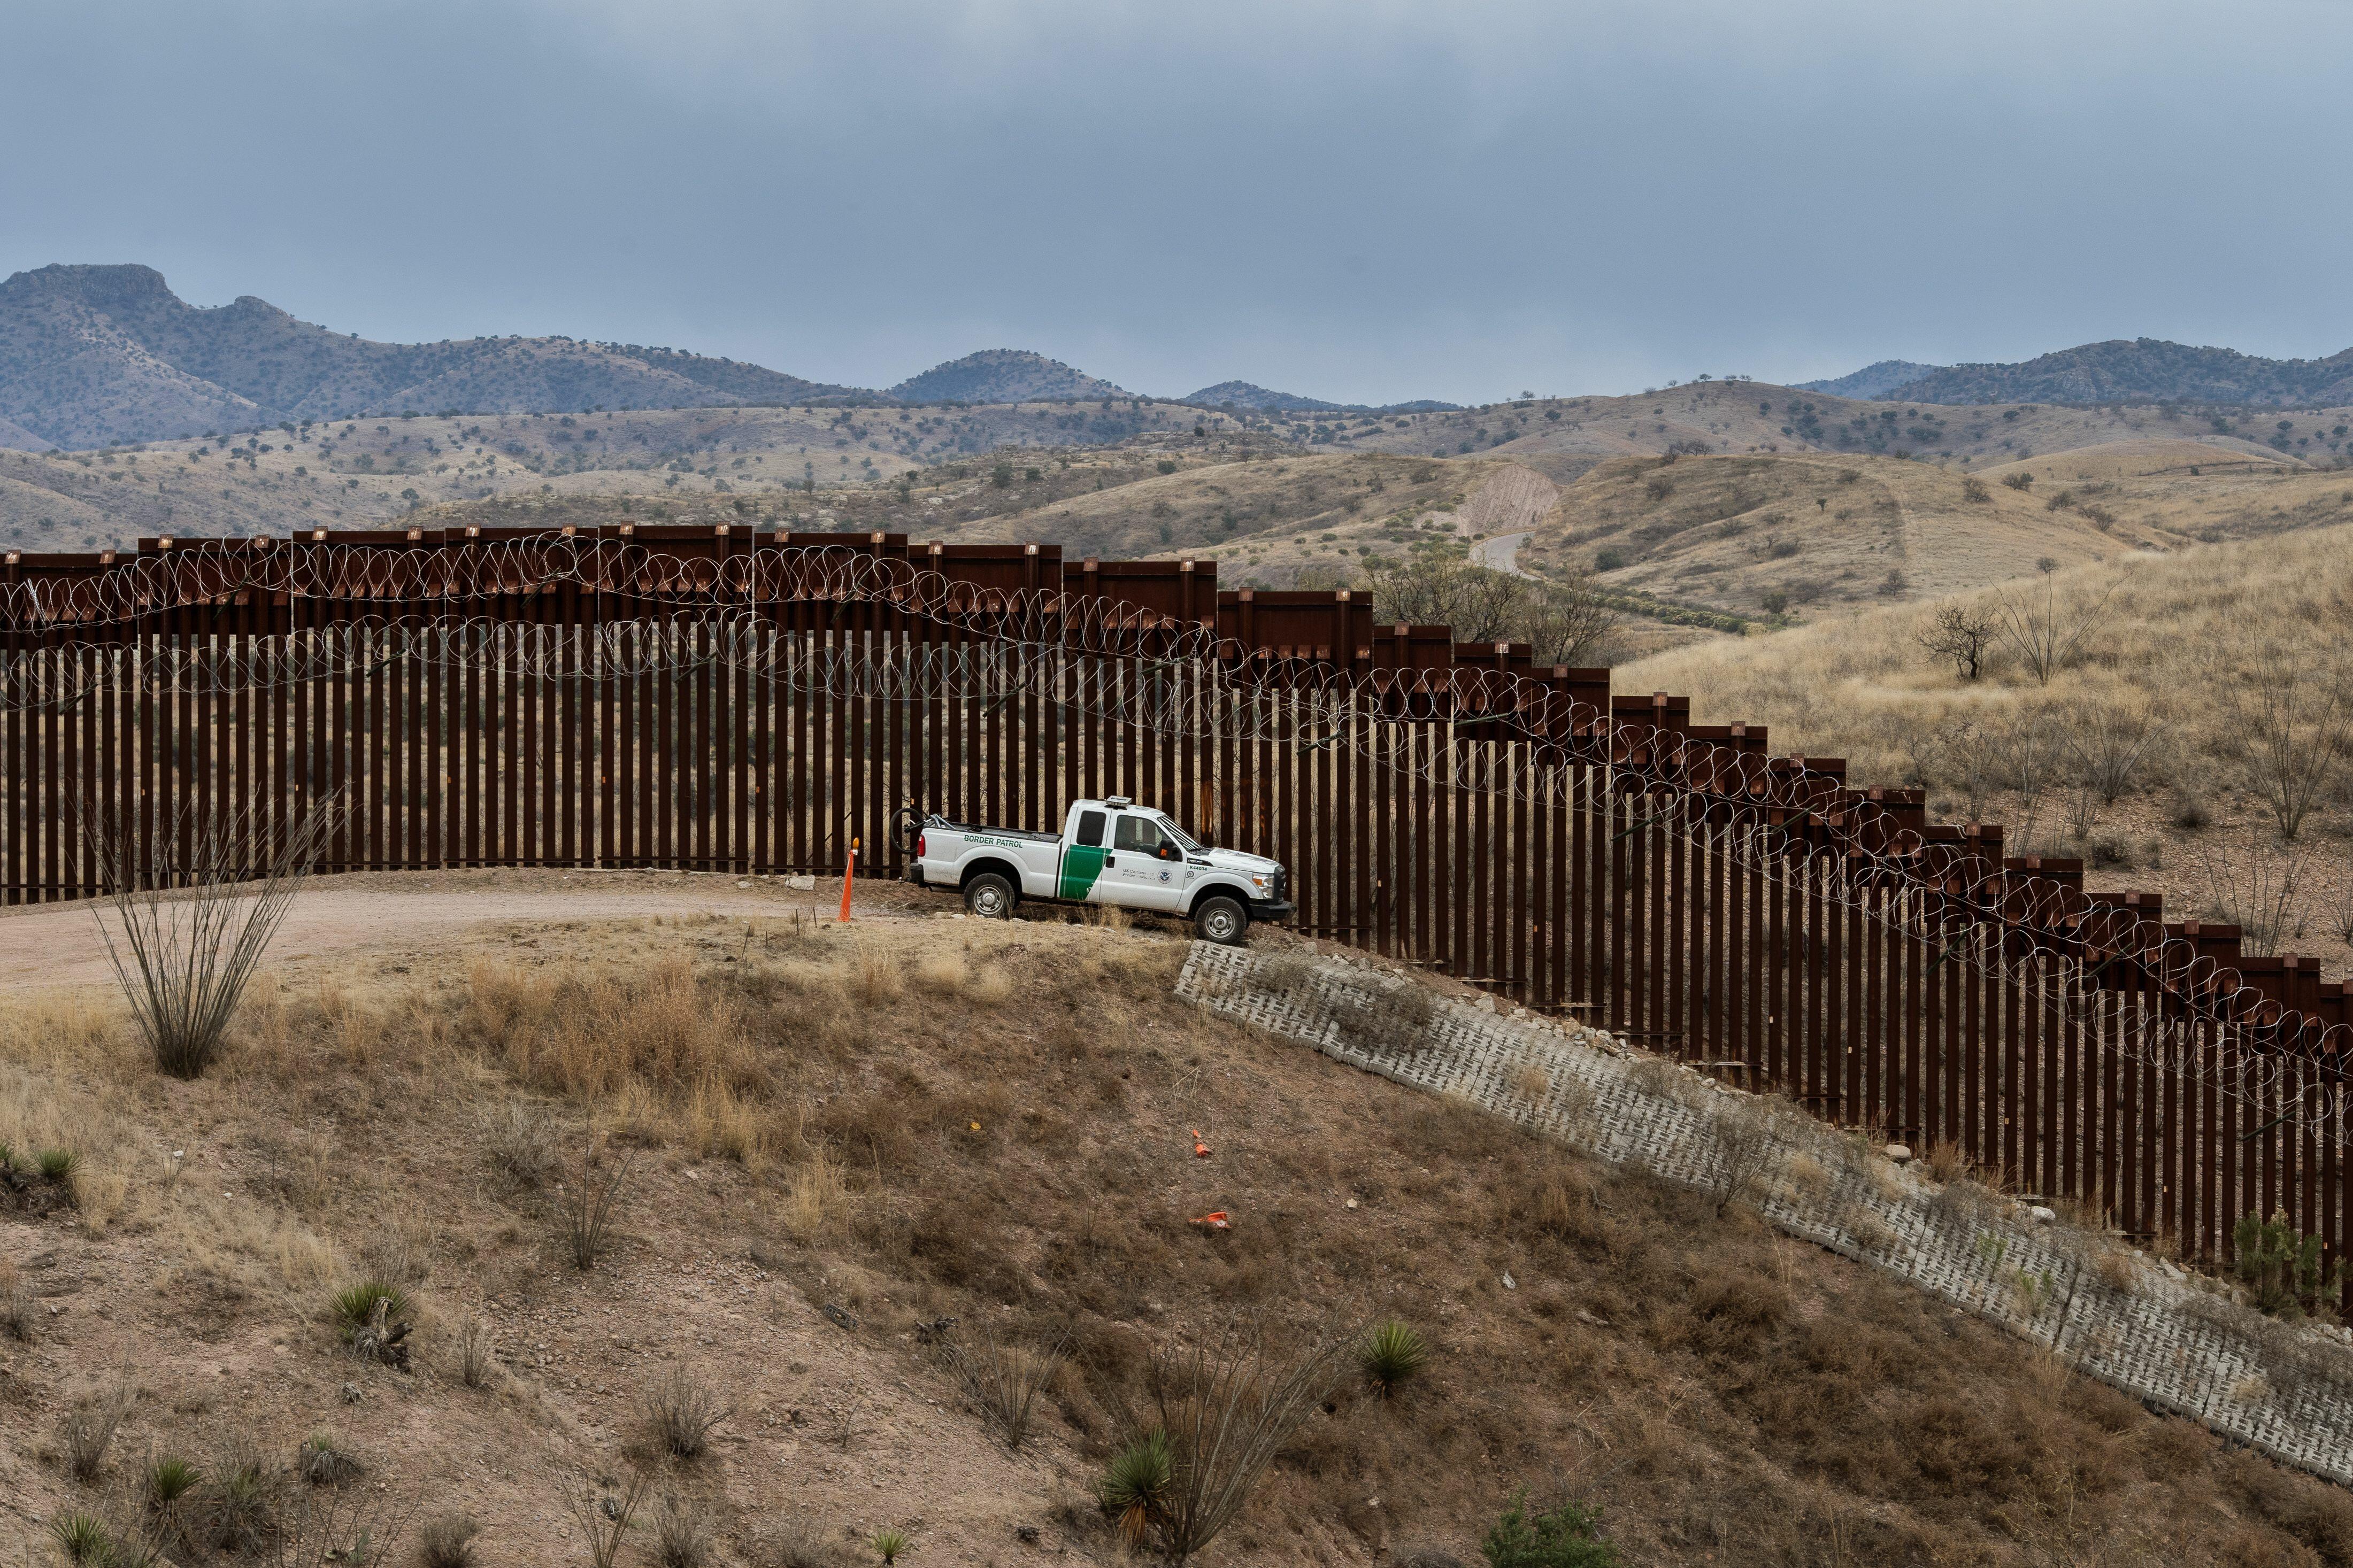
(60, 944)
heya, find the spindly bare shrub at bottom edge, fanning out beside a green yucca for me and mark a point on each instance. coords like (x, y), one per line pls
(1227, 1409)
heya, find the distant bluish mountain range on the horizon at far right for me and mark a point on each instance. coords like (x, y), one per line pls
(2140, 370)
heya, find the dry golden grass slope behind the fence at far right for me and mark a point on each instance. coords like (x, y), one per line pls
(2182, 641)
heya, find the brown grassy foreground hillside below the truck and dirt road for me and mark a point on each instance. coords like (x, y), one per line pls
(989, 1125)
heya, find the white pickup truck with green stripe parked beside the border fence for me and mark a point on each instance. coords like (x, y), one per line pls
(1107, 852)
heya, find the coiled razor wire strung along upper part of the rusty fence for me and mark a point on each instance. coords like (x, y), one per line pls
(935, 638)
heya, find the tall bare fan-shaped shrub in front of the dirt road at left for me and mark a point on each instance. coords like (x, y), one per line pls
(189, 932)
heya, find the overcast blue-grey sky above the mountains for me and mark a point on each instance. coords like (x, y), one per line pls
(1352, 199)
